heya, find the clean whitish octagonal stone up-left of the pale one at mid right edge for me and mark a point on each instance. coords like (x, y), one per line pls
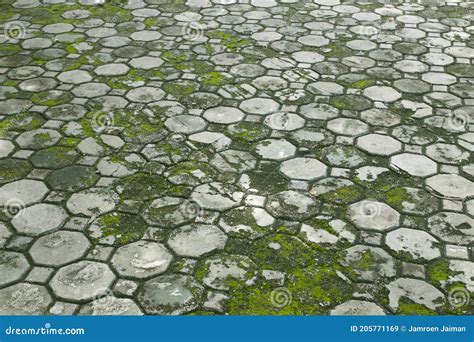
(414, 164)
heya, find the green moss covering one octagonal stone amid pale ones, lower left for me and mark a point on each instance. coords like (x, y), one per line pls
(124, 228)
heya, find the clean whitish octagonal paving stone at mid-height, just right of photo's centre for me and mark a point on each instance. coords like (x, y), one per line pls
(303, 168)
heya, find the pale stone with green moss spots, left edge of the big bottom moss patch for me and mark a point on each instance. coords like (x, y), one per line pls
(221, 269)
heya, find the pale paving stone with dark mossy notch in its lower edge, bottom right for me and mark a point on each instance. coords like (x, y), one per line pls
(418, 291)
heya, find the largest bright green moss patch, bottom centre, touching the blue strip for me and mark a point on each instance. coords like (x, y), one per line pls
(310, 287)
